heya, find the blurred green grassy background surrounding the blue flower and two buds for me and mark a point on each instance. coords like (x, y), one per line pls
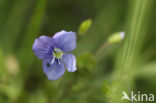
(129, 65)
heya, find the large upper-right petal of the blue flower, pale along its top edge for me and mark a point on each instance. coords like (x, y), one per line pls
(66, 41)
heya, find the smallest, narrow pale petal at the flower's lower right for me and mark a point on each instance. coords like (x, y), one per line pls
(70, 62)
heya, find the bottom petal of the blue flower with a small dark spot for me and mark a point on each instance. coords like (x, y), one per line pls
(55, 70)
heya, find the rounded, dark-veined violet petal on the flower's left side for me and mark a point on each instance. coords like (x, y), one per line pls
(43, 47)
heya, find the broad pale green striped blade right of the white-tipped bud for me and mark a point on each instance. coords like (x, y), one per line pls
(129, 60)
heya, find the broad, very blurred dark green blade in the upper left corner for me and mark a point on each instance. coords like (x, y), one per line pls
(14, 23)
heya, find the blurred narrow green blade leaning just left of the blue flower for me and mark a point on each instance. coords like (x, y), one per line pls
(26, 53)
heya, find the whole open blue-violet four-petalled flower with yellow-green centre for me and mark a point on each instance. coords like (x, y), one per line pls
(52, 50)
